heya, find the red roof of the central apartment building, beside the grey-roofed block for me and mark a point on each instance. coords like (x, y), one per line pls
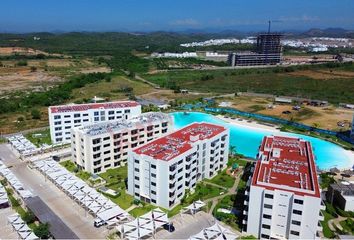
(174, 144)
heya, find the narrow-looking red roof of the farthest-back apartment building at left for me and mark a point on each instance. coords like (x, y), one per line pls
(85, 107)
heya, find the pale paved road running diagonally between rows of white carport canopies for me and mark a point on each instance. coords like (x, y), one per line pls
(65, 208)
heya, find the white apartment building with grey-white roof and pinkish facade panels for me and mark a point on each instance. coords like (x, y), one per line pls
(101, 146)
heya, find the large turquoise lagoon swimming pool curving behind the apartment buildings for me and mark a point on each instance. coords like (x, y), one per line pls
(247, 140)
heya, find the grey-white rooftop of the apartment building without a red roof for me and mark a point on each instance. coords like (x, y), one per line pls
(114, 126)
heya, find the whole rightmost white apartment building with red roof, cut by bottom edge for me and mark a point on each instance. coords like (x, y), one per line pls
(283, 199)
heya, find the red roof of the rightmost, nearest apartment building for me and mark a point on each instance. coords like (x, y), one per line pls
(286, 164)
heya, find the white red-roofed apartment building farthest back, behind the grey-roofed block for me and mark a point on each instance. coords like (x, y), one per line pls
(63, 118)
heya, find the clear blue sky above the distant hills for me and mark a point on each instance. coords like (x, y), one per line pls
(175, 15)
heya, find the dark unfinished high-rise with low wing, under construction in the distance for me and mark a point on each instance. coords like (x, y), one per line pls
(268, 52)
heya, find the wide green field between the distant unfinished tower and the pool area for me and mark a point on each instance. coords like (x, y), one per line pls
(272, 81)
